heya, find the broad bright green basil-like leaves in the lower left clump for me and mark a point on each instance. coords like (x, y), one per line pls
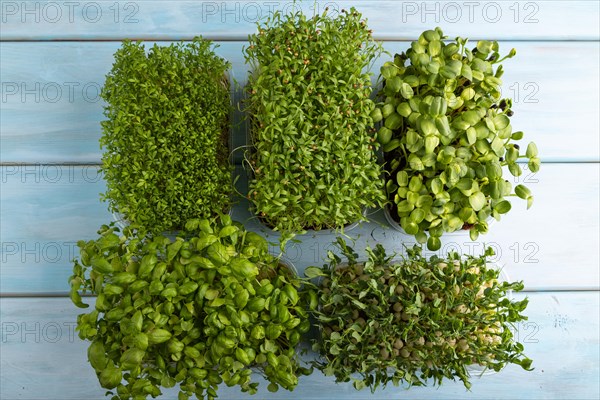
(210, 308)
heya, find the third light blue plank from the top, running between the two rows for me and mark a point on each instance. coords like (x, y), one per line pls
(554, 245)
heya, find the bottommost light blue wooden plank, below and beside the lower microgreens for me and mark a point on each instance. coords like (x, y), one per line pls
(43, 359)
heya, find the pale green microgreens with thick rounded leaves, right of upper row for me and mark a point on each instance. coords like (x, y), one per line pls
(447, 137)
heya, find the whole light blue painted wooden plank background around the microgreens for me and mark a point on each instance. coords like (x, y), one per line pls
(53, 59)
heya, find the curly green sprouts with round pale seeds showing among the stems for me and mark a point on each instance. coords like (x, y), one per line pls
(414, 319)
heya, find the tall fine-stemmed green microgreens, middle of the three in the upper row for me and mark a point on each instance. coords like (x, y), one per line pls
(313, 159)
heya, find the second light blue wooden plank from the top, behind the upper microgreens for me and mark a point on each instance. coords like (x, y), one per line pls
(51, 111)
